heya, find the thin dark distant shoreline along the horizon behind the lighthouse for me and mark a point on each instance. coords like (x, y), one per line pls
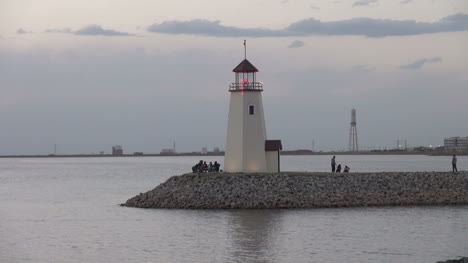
(298, 152)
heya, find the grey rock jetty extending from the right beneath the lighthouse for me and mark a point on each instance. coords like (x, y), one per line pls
(305, 190)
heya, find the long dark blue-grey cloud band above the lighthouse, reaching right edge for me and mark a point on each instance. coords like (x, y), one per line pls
(369, 27)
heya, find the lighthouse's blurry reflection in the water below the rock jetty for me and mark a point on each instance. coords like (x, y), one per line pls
(252, 234)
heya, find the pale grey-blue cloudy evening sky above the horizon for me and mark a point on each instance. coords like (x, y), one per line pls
(86, 75)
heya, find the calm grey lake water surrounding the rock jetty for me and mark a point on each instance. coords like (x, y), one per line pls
(66, 210)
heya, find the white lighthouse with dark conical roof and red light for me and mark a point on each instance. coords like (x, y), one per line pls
(247, 147)
